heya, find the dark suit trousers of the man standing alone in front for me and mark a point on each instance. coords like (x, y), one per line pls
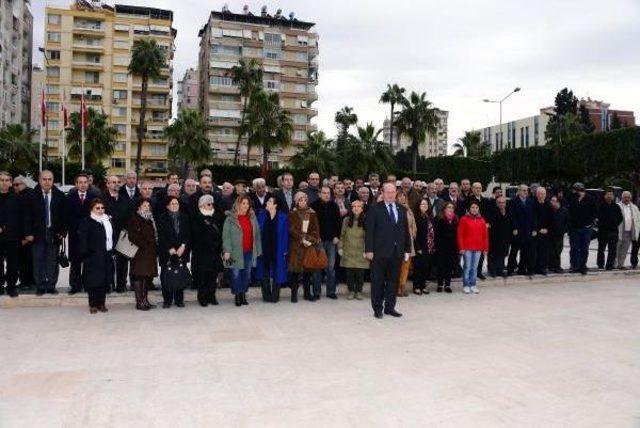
(385, 272)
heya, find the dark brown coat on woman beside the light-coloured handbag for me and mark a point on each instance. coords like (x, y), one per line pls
(142, 234)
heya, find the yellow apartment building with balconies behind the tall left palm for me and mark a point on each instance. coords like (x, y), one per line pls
(88, 47)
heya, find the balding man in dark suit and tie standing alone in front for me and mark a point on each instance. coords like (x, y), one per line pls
(387, 243)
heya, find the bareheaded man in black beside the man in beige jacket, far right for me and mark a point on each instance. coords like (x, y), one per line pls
(609, 217)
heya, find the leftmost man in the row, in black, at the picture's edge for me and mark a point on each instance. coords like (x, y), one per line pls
(11, 213)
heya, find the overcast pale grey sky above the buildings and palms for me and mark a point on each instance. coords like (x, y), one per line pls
(458, 52)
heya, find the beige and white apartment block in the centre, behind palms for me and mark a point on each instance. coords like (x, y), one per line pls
(287, 51)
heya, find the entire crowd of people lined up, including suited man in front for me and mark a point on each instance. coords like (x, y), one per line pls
(198, 234)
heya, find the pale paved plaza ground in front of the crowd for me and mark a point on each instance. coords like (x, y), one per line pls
(565, 352)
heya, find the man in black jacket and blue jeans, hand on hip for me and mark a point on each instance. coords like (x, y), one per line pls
(330, 226)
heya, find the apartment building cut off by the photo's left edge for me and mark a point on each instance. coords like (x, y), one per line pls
(16, 46)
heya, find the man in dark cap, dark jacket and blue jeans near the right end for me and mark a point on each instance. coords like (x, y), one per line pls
(582, 214)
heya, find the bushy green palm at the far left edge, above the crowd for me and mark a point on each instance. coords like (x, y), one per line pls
(17, 149)
